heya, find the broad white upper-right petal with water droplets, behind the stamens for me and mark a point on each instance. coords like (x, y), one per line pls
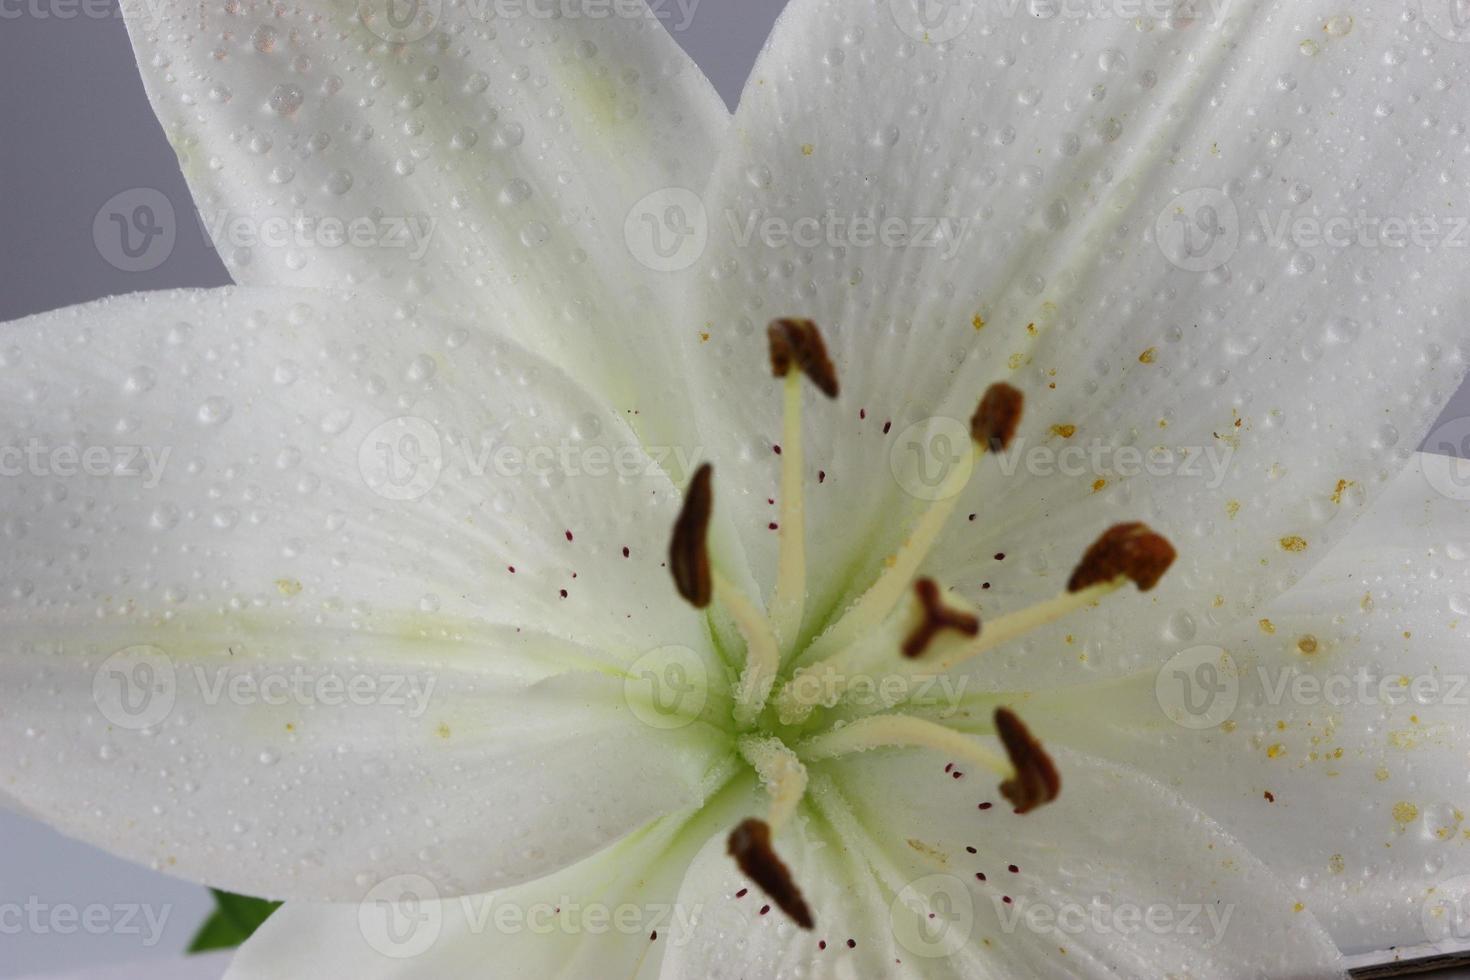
(1062, 142)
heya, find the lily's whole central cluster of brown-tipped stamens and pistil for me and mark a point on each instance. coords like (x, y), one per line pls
(903, 628)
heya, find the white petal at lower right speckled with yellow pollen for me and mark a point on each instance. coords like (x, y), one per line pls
(1344, 769)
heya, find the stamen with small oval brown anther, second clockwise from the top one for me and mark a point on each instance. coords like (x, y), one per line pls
(1000, 412)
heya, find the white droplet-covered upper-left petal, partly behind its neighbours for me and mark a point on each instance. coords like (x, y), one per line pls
(476, 162)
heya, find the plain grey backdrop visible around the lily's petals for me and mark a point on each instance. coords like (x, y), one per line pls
(76, 129)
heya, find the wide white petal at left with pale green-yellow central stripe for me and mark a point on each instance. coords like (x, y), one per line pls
(267, 550)
